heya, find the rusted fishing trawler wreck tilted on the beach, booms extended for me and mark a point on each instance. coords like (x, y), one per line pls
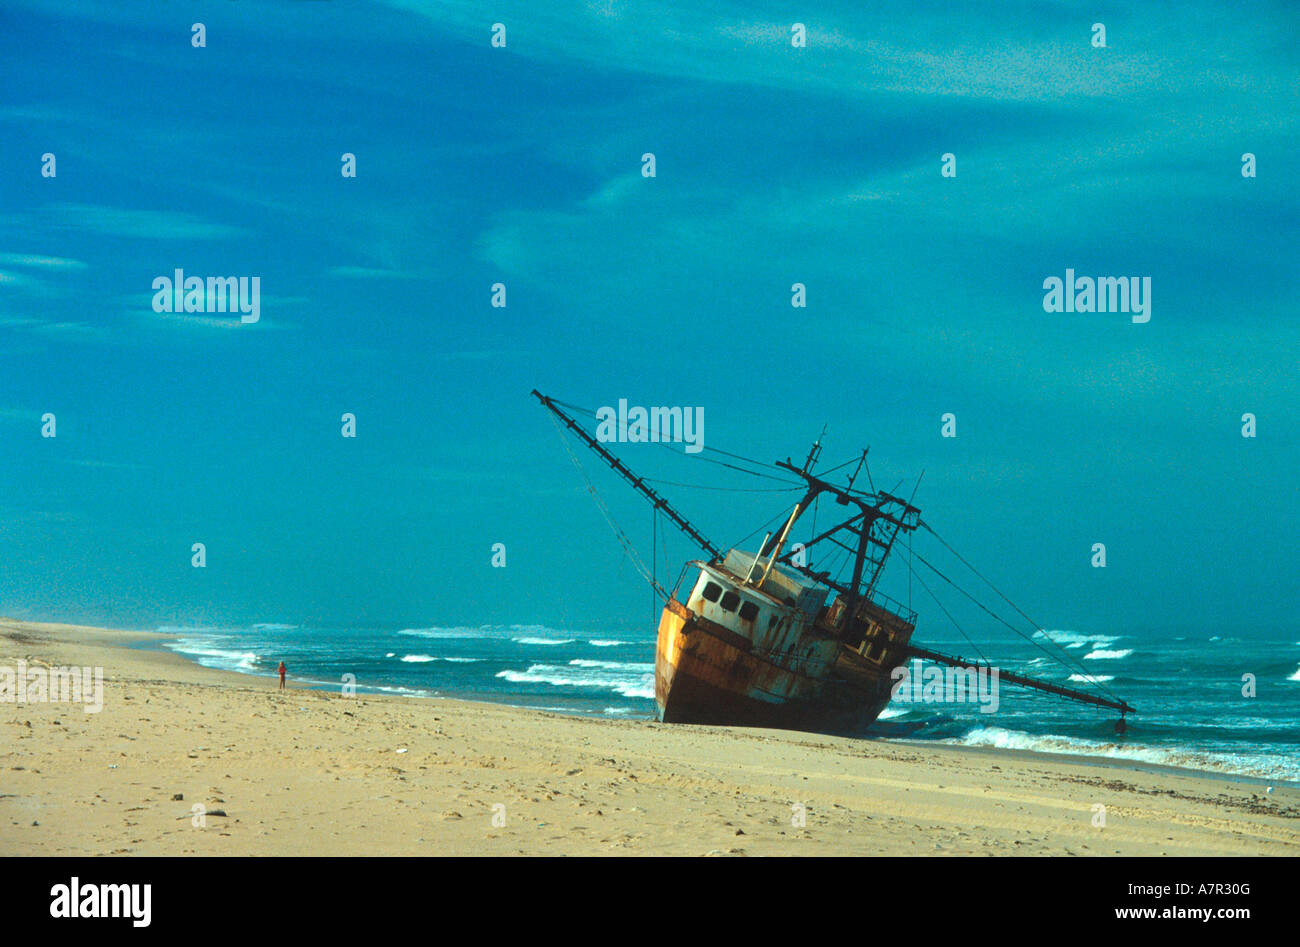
(762, 639)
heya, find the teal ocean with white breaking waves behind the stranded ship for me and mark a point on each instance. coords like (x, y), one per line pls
(1186, 687)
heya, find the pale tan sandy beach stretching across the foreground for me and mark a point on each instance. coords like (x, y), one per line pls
(315, 773)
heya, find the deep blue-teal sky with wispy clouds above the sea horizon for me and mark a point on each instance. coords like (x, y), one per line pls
(523, 166)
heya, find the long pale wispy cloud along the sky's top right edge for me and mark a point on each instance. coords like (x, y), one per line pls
(1015, 51)
